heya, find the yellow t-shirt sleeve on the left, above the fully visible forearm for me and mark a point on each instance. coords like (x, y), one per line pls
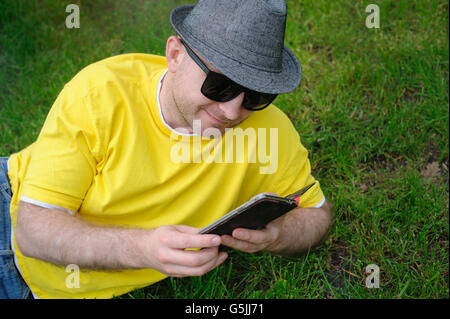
(65, 156)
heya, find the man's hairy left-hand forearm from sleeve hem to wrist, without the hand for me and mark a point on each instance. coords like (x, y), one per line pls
(59, 238)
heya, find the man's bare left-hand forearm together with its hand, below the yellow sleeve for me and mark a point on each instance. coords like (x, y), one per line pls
(59, 238)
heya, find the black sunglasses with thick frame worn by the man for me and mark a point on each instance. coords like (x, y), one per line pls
(219, 88)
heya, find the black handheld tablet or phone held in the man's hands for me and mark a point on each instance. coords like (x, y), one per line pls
(254, 214)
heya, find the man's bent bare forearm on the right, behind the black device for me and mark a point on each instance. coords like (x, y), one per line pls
(301, 229)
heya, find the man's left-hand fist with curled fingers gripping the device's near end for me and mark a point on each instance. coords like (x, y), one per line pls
(167, 252)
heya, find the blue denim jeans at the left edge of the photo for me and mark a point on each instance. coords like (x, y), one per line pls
(12, 286)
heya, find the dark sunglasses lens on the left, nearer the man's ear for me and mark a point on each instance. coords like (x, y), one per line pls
(219, 88)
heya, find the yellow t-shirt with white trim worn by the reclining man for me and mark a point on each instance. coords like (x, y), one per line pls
(106, 153)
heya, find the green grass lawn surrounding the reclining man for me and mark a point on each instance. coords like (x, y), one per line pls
(372, 109)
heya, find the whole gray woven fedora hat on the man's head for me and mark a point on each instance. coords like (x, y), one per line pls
(244, 39)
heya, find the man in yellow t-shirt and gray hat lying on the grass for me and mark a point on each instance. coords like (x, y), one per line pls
(100, 204)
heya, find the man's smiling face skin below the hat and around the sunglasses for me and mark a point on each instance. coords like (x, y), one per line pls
(192, 105)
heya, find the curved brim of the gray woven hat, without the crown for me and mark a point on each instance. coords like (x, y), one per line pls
(255, 79)
